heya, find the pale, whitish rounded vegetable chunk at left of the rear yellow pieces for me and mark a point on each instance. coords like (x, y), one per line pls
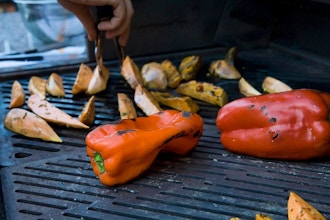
(154, 76)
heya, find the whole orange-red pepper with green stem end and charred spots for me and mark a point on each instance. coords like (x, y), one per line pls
(122, 151)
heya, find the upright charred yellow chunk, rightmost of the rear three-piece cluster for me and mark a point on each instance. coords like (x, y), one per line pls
(189, 67)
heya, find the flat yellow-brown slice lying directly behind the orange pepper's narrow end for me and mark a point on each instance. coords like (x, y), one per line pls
(184, 103)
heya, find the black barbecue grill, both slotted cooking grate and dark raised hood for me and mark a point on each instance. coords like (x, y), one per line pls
(42, 180)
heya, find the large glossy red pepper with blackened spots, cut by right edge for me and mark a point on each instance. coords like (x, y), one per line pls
(290, 125)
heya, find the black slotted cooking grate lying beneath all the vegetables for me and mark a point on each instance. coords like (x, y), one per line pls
(55, 181)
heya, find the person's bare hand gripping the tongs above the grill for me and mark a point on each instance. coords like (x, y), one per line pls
(119, 25)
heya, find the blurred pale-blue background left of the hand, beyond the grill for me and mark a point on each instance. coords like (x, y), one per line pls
(37, 34)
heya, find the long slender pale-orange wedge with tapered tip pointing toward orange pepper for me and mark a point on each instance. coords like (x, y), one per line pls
(50, 113)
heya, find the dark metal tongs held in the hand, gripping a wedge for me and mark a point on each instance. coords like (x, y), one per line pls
(106, 13)
